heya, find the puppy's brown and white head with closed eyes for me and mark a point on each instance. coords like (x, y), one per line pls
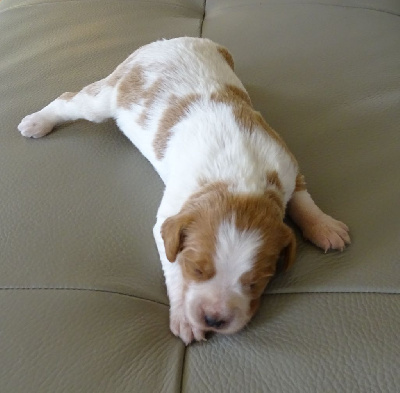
(228, 247)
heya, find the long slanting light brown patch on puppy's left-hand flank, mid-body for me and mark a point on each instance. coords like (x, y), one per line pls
(177, 109)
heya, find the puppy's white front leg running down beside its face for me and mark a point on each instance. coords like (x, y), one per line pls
(179, 323)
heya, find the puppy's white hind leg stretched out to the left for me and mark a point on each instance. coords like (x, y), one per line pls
(92, 103)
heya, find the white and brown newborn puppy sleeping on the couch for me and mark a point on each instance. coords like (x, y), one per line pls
(228, 178)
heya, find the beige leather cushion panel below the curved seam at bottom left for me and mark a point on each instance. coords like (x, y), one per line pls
(85, 341)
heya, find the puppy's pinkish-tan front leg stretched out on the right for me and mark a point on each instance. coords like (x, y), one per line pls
(321, 229)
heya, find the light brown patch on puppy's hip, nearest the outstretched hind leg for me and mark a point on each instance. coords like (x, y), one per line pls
(131, 87)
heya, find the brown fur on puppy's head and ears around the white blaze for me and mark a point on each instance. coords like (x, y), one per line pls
(192, 233)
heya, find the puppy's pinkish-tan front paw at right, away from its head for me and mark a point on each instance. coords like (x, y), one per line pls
(326, 232)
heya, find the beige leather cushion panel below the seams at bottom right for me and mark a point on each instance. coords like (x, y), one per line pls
(304, 343)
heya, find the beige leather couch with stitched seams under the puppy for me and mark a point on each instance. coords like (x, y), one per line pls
(82, 300)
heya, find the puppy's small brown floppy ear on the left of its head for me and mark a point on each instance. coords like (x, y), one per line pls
(173, 234)
